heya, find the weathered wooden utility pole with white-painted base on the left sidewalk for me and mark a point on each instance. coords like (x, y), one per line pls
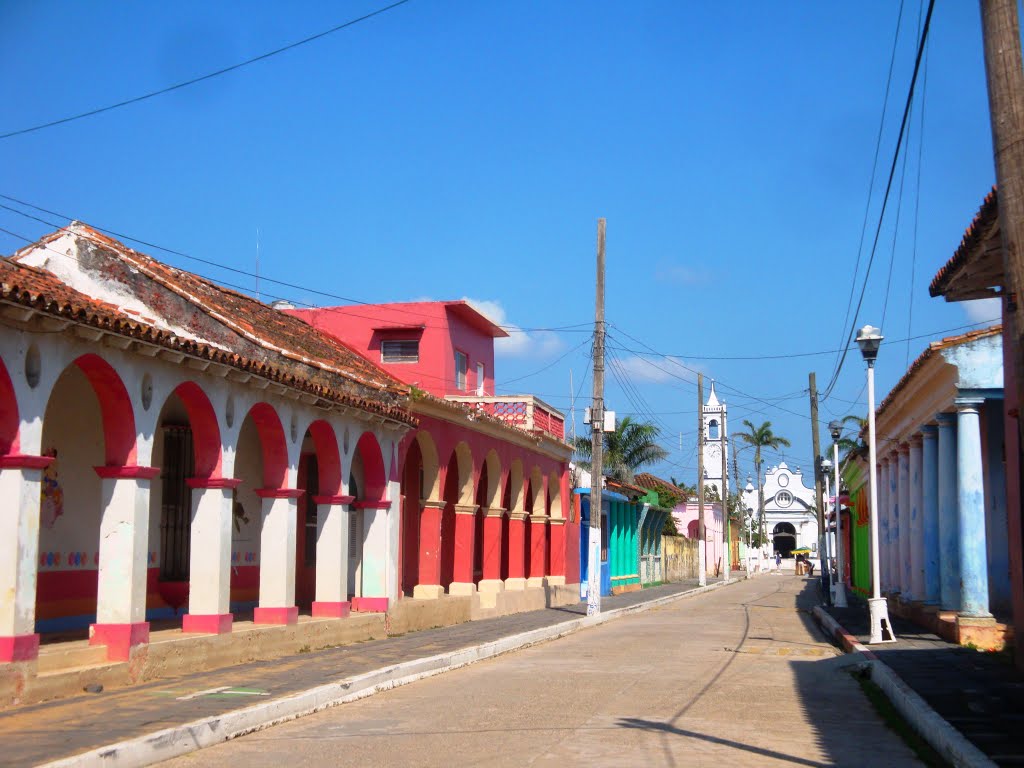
(598, 439)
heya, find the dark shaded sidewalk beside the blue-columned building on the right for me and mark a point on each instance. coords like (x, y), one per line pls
(980, 695)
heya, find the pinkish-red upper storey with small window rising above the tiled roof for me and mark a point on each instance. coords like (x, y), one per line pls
(441, 327)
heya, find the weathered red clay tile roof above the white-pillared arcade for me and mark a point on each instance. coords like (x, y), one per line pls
(42, 291)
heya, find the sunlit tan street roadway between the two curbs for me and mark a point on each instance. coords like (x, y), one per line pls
(738, 677)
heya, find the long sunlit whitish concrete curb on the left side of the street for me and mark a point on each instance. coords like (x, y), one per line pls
(198, 735)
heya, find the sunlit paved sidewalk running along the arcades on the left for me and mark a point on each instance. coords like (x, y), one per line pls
(59, 730)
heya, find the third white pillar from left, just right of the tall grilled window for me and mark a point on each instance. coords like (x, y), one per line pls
(210, 557)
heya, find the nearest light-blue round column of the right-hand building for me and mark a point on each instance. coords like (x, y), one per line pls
(971, 503)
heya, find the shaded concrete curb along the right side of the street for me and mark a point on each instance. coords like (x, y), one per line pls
(944, 738)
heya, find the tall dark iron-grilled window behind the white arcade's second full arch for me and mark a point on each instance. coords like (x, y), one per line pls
(176, 503)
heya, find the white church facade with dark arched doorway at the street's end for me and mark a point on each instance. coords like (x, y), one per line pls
(791, 521)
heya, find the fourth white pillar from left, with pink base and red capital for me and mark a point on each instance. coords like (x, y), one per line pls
(277, 557)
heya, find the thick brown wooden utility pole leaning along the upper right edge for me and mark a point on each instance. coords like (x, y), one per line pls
(1005, 76)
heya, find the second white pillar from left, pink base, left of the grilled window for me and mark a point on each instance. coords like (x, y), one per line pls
(124, 535)
